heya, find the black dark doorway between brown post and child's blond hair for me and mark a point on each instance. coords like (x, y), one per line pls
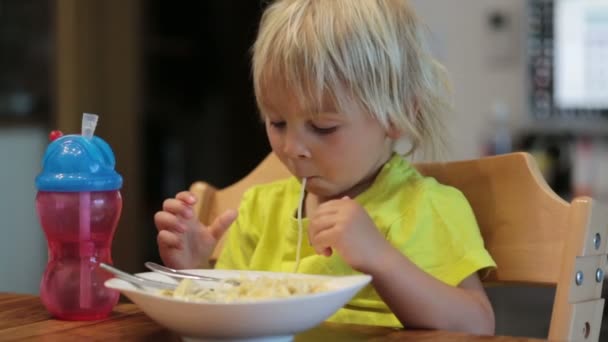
(200, 118)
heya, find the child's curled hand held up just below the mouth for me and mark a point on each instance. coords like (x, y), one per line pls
(345, 226)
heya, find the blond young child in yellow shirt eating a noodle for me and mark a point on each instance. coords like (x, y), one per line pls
(338, 83)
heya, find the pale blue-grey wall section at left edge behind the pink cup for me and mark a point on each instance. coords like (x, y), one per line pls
(22, 246)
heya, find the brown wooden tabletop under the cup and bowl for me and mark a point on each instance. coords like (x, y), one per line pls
(23, 317)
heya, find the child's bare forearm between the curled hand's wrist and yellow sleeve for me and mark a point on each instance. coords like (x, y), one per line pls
(421, 301)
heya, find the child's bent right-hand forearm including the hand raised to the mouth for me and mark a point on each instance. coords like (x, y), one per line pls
(415, 297)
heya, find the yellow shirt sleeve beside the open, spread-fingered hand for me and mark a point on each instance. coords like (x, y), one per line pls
(242, 238)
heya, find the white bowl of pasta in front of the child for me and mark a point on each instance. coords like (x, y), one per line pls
(276, 319)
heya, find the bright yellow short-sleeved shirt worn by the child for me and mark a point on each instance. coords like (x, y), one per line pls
(430, 223)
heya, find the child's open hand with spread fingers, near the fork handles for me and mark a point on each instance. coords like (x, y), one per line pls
(183, 241)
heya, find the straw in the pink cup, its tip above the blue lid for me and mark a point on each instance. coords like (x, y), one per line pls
(89, 122)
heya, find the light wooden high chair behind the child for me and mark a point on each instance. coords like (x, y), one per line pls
(534, 236)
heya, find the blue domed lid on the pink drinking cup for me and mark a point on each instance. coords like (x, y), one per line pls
(75, 163)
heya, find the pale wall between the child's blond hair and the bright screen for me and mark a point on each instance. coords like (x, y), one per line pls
(485, 67)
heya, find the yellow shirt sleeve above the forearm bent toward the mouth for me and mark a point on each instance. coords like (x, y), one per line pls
(441, 236)
